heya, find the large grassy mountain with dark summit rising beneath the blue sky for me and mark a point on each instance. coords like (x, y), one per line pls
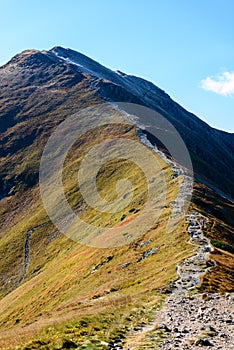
(57, 293)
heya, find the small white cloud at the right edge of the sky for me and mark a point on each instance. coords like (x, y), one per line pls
(223, 84)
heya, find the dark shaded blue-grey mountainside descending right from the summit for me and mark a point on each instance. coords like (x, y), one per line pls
(211, 160)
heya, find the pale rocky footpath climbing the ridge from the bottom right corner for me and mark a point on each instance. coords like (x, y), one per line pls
(187, 322)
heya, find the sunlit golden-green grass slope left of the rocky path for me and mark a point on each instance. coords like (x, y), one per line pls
(60, 283)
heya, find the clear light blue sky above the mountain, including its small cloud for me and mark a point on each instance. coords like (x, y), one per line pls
(186, 47)
